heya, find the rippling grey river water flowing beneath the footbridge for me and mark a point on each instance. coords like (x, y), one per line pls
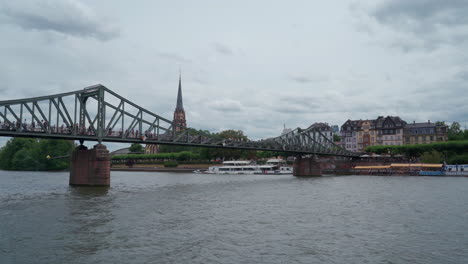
(194, 218)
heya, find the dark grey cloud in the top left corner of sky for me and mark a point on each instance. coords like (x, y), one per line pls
(68, 17)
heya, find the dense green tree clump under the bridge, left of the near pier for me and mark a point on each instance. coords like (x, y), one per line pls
(31, 154)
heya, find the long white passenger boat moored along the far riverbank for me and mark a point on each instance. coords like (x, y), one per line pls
(247, 167)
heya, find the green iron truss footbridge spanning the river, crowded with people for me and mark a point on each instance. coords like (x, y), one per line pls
(98, 114)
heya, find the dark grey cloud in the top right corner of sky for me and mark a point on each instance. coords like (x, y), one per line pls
(427, 23)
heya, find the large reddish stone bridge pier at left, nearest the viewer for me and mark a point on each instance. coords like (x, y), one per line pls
(90, 167)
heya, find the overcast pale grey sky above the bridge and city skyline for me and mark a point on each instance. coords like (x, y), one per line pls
(248, 65)
